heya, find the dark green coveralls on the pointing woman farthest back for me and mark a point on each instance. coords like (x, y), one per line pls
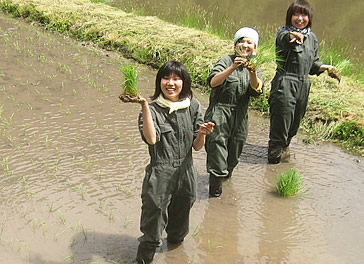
(290, 89)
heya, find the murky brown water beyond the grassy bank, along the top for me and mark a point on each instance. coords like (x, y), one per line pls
(330, 22)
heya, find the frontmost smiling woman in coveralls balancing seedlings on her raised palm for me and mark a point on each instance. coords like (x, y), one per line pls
(171, 125)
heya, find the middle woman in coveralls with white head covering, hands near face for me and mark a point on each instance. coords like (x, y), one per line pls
(232, 83)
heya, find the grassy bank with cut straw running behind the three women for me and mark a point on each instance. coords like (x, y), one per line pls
(335, 111)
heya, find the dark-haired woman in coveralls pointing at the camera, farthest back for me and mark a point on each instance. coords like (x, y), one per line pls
(297, 53)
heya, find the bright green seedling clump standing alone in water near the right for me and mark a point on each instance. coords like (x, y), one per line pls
(289, 183)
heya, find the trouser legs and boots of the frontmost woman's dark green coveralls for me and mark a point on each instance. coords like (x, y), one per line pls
(167, 196)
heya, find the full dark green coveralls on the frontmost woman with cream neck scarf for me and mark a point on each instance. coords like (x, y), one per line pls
(169, 186)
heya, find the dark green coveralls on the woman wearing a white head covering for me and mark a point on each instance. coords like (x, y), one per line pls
(228, 109)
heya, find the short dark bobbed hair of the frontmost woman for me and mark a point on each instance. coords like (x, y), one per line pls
(181, 71)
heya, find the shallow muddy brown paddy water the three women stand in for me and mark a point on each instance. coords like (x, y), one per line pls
(72, 164)
